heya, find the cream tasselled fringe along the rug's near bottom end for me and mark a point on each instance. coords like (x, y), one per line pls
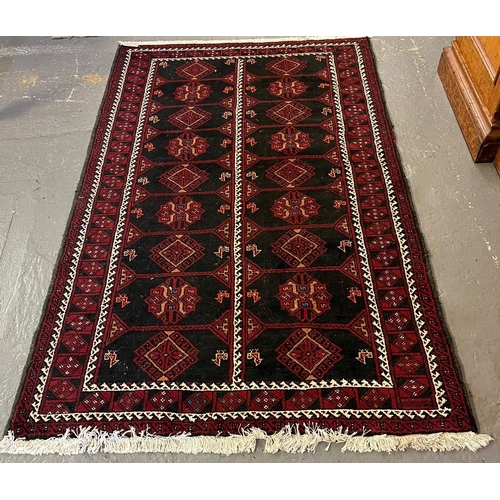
(289, 440)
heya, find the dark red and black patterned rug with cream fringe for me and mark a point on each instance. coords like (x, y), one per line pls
(242, 264)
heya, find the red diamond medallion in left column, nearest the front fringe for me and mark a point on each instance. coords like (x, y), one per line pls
(166, 355)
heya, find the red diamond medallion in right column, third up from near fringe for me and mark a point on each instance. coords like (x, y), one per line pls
(299, 248)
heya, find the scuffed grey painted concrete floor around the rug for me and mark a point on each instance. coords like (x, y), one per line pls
(50, 93)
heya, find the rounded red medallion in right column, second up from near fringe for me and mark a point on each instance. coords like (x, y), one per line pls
(304, 297)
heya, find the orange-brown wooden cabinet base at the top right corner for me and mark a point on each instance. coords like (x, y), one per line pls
(470, 70)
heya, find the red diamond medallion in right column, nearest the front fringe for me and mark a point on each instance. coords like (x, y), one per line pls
(308, 354)
